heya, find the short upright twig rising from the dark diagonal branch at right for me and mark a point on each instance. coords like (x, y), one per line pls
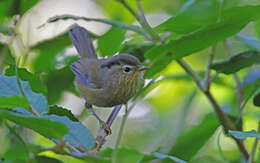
(207, 79)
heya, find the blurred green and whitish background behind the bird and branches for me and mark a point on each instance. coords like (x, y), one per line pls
(174, 117)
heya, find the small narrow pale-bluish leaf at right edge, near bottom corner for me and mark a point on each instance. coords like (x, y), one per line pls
(245, 134)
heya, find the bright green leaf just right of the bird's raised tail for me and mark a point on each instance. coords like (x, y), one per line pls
(110, 42)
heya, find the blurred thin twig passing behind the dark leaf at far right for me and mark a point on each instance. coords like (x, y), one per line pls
(237, 80)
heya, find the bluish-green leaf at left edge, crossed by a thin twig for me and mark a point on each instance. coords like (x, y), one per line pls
(9, 88)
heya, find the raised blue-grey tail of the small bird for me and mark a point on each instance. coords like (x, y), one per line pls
(82, 42)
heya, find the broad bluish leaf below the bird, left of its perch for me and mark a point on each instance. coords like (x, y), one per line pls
(78, 135)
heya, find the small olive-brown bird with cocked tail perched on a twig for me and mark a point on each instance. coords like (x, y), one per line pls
(104, 82)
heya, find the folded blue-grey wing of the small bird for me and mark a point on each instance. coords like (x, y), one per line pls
(82, 76)
